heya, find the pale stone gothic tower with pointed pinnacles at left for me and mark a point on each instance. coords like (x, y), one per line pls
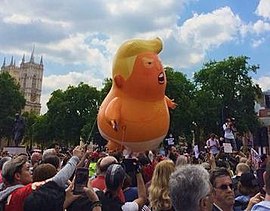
(29, 75)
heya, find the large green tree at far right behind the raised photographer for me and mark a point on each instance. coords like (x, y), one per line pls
(225, 89)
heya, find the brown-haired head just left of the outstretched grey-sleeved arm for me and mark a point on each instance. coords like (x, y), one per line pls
(43, 172)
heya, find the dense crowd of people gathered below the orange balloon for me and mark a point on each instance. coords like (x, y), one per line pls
(151, 180)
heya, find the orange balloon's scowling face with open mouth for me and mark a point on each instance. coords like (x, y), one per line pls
(148, 79)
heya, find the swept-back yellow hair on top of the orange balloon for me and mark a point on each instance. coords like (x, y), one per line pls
(125, 56)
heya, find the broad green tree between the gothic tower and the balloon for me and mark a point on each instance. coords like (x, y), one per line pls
(70, 110)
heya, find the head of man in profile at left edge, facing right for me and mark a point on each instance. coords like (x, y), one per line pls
(17, 171)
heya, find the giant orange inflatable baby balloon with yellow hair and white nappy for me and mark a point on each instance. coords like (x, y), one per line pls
(134, 115)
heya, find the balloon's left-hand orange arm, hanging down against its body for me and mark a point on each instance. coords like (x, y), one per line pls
(113, 112)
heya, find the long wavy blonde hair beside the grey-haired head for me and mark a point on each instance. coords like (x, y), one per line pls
(159, 189)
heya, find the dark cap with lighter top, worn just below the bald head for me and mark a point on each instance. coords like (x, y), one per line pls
(115, 176)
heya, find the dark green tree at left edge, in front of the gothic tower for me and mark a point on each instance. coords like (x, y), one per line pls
(11, 102)
